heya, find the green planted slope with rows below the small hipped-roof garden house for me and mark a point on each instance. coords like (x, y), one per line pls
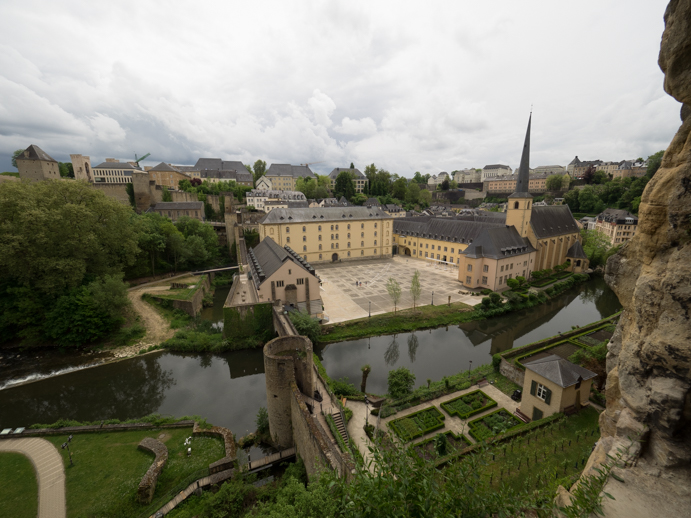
(548, 456)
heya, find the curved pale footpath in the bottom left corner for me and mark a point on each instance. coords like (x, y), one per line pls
(49, 473)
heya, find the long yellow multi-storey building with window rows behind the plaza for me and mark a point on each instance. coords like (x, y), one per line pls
(331, 234)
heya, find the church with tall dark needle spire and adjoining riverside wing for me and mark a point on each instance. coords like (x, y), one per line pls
(534, 238)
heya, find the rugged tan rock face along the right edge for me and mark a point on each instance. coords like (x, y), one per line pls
(649, 359)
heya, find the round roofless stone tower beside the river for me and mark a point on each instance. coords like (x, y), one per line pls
(287, 359)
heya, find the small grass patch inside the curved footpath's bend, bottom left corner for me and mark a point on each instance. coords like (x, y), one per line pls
(18, 486)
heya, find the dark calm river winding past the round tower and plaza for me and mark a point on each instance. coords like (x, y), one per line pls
(227, 389)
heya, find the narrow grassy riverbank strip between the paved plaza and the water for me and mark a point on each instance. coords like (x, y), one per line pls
(422, 317)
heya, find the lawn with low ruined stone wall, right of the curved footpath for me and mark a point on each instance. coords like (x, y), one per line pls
(108, 468)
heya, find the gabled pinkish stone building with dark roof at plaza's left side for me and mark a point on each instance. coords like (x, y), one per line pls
(280, 274)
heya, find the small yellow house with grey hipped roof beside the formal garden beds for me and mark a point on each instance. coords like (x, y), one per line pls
(553, 384)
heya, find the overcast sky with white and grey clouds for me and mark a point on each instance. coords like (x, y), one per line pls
(408, 85)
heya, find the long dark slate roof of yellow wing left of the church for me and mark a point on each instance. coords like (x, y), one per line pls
(442, 229)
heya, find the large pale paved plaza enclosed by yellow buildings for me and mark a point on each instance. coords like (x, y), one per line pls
(343, 300)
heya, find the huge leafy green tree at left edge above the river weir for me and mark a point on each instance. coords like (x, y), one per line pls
(63, 246)
